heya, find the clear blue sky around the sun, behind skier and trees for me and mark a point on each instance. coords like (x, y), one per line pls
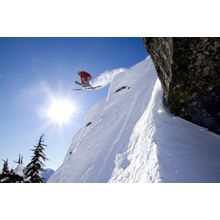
(34, 70)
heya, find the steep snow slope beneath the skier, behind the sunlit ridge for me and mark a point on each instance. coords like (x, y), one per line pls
(91, 155)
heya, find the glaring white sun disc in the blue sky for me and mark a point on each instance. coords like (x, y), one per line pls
(60, 111)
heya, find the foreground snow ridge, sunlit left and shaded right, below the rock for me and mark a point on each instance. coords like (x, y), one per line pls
(165, 148)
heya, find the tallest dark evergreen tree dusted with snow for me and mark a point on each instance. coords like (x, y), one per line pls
(36, 166)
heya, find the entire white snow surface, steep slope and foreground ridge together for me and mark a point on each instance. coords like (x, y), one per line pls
(132, 138)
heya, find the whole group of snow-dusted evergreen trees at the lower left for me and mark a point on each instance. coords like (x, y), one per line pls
(32, 173)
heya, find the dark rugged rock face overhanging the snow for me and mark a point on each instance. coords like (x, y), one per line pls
(189, 71)
